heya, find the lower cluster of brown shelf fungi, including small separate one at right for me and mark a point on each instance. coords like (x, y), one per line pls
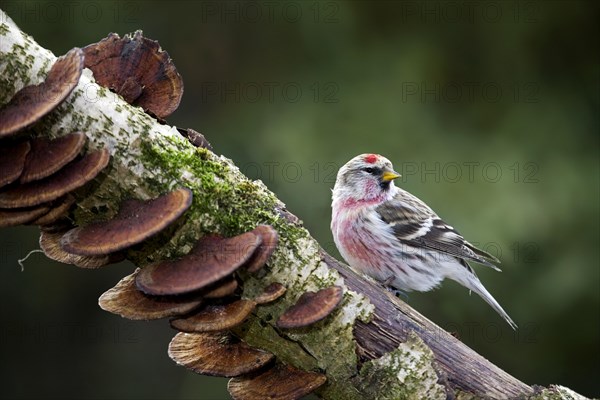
(201, 294)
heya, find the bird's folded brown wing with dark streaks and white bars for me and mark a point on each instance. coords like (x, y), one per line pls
(415, 224)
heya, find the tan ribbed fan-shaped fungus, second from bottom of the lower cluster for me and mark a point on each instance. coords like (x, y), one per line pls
(216, 354)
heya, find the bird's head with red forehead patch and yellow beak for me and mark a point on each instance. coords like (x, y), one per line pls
(365, 178)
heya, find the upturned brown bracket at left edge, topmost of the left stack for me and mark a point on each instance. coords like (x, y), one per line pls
(32, 102)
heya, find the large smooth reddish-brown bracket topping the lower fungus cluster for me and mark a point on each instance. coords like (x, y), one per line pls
(212, 258)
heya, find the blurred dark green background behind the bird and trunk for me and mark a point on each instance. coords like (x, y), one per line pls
(490, 110)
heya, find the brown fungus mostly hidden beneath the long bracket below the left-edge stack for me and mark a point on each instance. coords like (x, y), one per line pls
(50, 245)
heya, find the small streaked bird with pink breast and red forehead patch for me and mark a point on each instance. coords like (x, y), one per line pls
(395, 238)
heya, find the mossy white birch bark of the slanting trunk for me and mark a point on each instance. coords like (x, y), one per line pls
(148, 159)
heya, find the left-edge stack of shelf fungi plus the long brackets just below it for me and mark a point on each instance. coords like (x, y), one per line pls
(41, 178)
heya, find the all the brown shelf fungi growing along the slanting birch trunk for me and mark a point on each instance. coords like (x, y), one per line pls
(42, 179)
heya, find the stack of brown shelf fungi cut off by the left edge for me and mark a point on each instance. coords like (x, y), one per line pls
(38, 174)
